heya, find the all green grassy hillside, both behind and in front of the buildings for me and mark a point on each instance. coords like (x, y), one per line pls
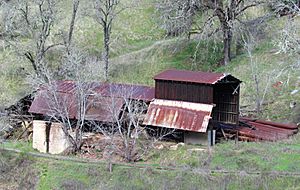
(140, 51)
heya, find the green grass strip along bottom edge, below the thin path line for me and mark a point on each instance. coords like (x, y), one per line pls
(54, 174)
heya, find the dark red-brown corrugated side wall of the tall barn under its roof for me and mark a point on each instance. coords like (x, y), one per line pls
(184, 91)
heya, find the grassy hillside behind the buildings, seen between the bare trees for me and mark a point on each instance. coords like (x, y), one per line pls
(139, 51)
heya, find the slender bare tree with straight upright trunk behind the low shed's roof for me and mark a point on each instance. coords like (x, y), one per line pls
(105, 13)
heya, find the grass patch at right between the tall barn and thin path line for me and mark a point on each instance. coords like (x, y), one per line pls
(264, 156)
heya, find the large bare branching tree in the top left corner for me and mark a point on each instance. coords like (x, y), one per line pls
(32, 20)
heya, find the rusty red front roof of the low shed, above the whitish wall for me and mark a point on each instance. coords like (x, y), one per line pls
(59, 104)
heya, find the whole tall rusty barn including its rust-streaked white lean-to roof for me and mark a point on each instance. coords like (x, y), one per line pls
(189, 101)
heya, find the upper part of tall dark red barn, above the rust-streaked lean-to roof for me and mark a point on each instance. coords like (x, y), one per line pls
(219, 89)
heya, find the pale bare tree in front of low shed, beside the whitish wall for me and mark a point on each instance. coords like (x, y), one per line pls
(69, 108)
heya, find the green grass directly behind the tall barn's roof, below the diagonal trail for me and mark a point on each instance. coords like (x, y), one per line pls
(171, 55)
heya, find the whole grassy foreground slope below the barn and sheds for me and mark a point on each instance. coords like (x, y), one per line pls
(235, 166)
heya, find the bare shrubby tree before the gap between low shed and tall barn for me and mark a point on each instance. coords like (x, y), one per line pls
(127, 136)
